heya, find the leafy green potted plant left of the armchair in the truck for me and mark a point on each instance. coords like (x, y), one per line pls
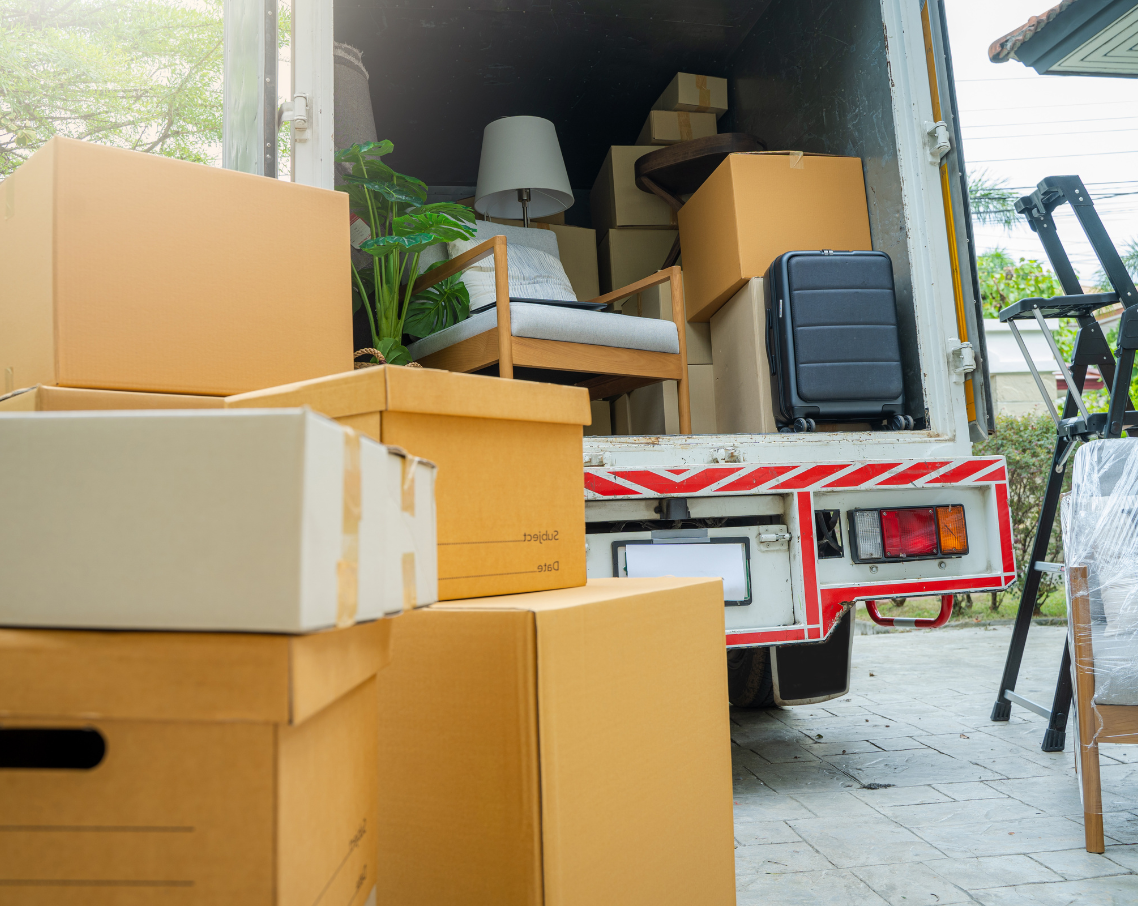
(401, 225)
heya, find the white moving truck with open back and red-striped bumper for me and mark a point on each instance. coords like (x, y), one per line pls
(801, 525)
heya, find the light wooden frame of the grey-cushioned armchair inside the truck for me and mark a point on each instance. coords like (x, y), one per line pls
(612, 370)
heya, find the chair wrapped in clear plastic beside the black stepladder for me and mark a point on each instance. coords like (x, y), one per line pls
(1101, 543)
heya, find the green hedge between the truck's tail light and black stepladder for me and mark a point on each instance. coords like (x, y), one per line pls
(1028, 442)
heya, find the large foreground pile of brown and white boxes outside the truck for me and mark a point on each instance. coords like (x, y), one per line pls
(201, 701)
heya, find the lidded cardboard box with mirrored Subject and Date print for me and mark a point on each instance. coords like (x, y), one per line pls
(512, 504)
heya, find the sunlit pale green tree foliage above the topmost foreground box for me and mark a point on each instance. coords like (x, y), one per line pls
(141, 75)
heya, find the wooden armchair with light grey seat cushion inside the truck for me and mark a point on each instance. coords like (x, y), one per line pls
(606, 370)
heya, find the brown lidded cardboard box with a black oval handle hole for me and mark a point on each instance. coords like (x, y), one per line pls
(232, 769)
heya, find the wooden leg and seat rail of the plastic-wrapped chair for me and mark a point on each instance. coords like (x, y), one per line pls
(1098, 723)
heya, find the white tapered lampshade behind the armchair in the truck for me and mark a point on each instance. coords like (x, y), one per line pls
(522, 153)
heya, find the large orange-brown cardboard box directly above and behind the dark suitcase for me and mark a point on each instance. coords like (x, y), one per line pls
(757, 207)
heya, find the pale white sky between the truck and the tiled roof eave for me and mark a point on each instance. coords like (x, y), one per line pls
(1021, 127)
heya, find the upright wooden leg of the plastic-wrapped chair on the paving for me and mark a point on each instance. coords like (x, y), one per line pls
(1085, 703)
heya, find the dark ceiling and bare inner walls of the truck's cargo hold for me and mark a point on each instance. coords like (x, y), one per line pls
(807, 76)
